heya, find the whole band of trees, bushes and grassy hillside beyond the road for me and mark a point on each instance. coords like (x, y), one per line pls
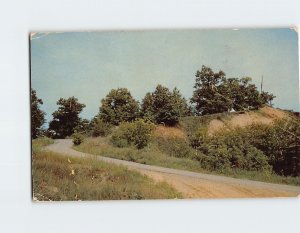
(223, 129)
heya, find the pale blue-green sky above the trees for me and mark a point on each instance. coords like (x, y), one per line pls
(88, 65)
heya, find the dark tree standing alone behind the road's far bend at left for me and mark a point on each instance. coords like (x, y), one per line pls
(66, 118)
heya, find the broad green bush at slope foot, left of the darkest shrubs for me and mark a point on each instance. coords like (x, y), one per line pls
(228, 150)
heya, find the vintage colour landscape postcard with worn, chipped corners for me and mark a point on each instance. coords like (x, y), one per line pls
(165, 114)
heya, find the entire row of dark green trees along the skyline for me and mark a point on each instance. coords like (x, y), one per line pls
(213, 93)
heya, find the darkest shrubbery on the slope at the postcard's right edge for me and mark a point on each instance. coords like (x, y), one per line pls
(280, 143)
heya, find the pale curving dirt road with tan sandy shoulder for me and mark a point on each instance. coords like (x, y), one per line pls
(191, 184)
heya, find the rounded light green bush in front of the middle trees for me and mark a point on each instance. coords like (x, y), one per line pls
(136, 133)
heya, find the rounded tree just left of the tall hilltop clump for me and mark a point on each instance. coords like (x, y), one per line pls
(164, 106)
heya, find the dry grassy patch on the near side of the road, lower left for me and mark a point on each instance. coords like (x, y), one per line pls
(59, 178)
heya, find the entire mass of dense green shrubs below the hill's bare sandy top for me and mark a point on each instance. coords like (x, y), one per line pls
(256, 147)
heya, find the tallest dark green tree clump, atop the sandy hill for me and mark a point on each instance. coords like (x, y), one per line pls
(214, 93)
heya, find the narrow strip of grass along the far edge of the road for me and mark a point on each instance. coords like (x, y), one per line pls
(152, 155)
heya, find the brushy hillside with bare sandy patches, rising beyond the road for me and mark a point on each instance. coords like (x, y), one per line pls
(240, 150)
